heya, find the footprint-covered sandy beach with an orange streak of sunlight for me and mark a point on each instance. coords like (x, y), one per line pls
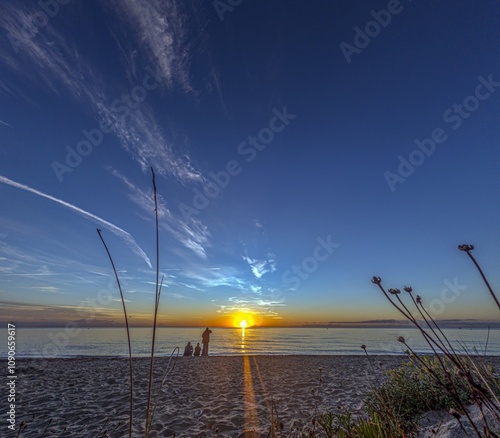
(225, 396)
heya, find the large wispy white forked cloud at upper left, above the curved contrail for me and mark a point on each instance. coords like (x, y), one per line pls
(61, 67)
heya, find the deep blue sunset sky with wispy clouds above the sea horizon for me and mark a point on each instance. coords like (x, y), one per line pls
(299, 149)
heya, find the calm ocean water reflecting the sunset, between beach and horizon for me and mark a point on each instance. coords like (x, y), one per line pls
(55, 342)
